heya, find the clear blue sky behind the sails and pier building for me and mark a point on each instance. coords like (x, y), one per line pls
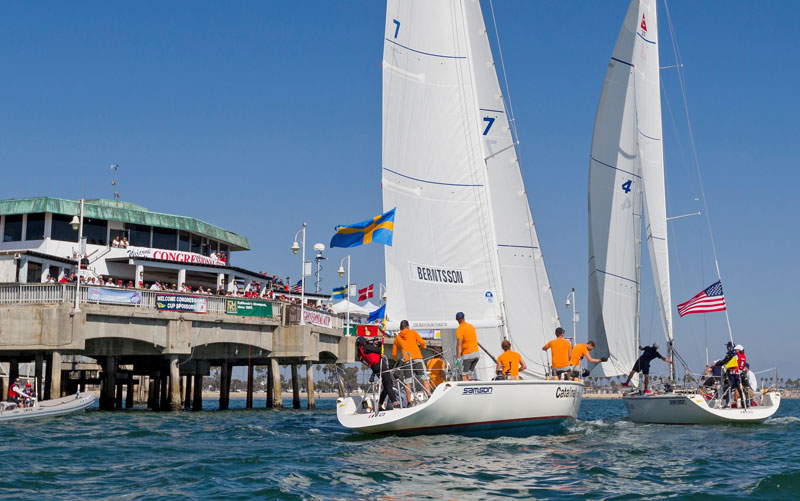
(257, 116)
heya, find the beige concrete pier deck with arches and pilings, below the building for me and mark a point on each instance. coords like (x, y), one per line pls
(139, 351)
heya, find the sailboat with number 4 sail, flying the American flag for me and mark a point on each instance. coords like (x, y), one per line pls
(626, 190)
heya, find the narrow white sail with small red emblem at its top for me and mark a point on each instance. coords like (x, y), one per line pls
(651, 155)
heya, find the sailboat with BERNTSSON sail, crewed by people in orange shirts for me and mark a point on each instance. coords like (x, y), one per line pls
(464, 239)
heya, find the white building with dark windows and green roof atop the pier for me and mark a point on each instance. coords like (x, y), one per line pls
(38, 242)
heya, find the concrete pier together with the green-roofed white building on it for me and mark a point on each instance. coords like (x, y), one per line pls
(136, 340)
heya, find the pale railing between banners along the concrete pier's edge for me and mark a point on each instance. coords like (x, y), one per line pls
(65, 293)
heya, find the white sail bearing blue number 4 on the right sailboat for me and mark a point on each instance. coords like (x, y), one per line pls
(614, 211)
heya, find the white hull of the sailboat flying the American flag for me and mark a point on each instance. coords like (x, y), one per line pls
(693, 409)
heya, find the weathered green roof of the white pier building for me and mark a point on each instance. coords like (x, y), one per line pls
(122, 211)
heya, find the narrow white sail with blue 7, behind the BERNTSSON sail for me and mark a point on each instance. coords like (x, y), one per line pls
(526, 298)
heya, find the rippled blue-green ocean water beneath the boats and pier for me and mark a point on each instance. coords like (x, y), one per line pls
(268, 454)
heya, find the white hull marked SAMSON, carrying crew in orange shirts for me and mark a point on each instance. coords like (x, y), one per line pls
(504, 407)
